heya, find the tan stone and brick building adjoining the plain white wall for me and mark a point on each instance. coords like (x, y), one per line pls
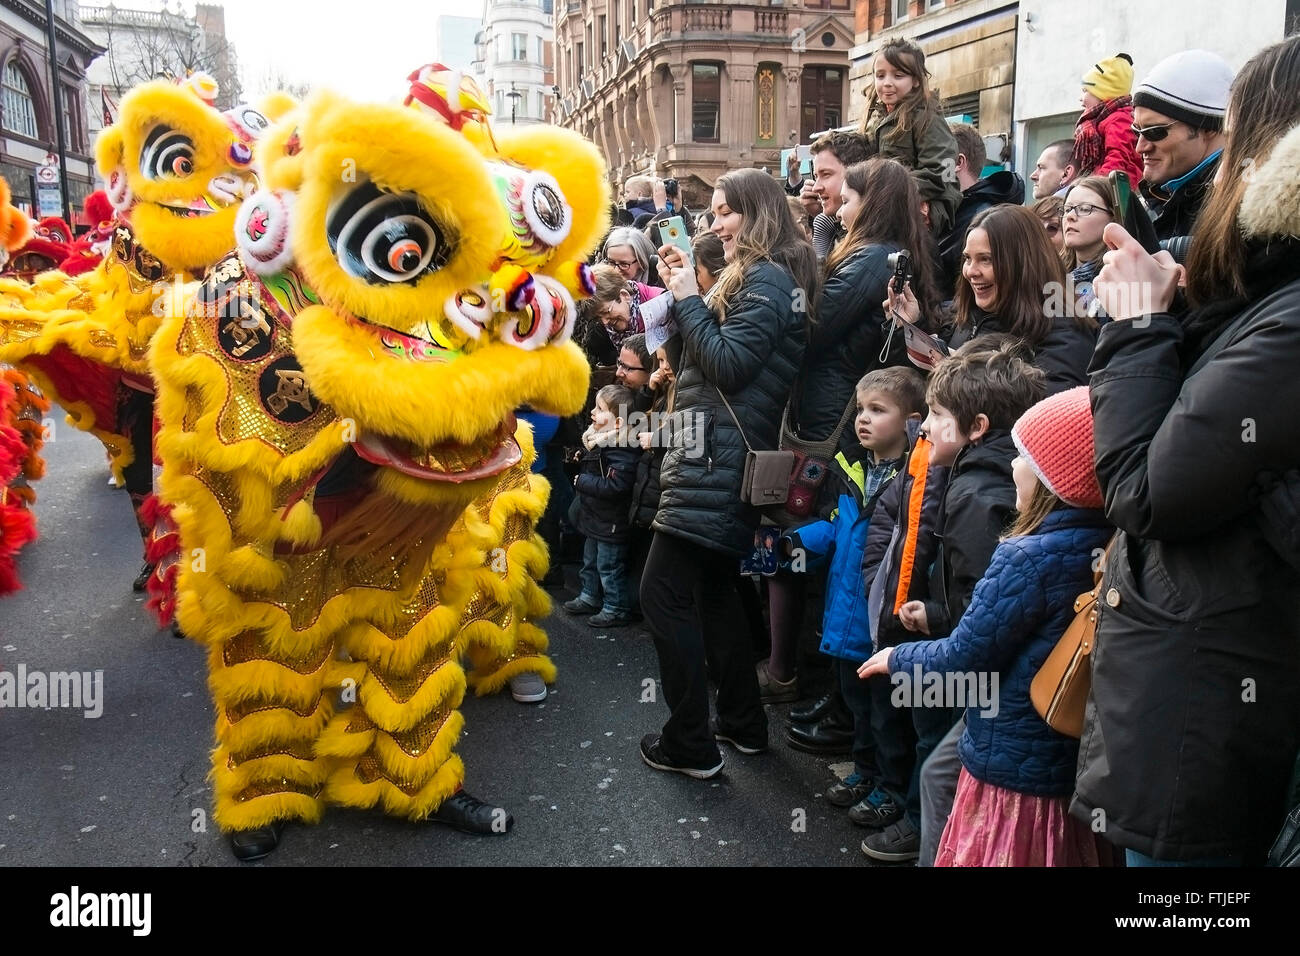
(970, 54)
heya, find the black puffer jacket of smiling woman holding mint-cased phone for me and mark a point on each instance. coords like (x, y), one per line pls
(753, 357)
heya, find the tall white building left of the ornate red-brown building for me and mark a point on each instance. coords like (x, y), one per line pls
(515, 63)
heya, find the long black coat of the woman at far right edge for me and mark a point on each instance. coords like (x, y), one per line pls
(1194, 720)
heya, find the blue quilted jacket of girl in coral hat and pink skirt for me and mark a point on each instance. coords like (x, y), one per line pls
(1020, 609)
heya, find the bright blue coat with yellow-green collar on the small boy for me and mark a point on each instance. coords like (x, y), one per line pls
(846, 630)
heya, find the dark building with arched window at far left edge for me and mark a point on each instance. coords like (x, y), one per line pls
(28, 135)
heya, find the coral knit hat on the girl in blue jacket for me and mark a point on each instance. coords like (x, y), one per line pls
(1056, 439)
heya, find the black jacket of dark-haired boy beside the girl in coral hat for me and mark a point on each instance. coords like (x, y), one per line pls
(977, 511)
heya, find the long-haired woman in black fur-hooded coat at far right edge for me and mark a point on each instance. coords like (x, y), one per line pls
(1194, 721)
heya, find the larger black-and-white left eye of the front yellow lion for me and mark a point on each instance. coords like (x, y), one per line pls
(385, 237)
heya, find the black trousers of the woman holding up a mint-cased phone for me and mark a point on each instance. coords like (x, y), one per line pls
(688, 598)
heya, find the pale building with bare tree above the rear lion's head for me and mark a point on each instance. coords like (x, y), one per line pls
(146, 45)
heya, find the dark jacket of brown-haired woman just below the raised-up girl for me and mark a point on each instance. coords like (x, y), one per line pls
(844, 344)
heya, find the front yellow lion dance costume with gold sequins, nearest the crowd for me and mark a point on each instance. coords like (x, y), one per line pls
(343, 458)
